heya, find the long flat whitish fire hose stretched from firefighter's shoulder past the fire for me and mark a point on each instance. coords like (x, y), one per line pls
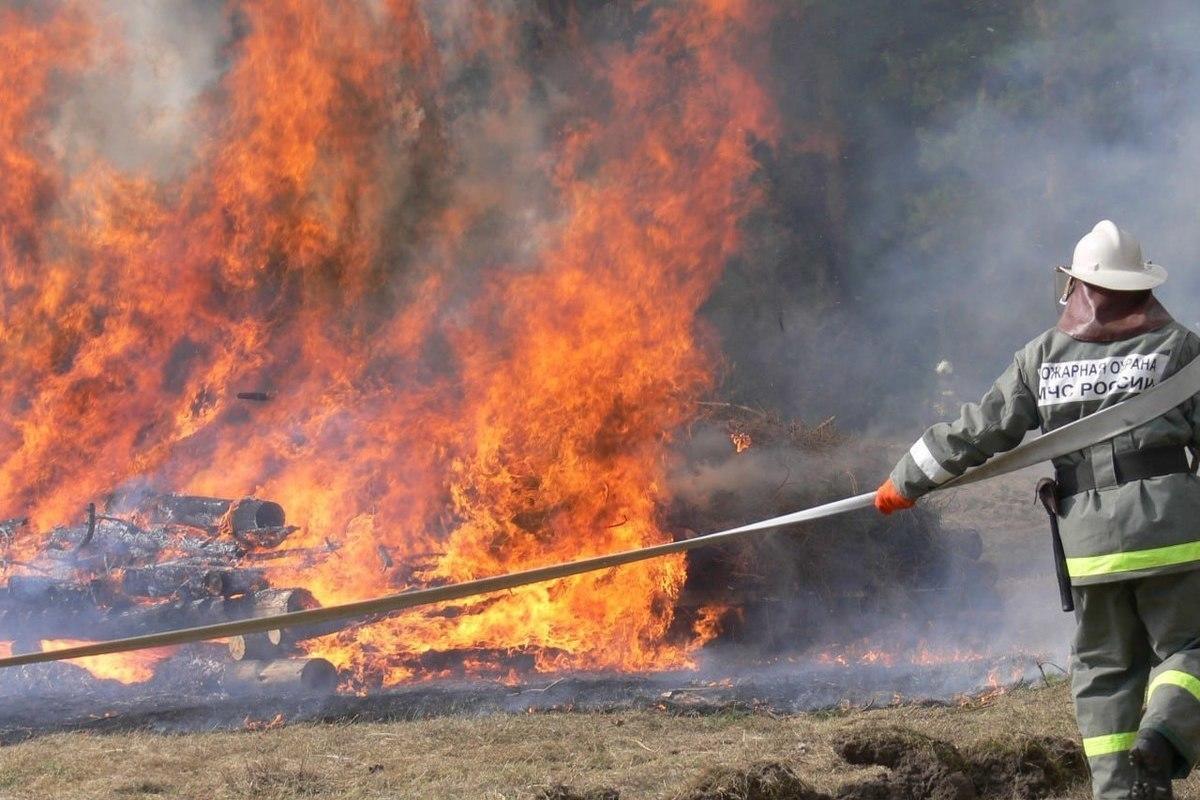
(1077, 436)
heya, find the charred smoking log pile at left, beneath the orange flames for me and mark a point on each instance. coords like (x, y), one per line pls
(176, 562)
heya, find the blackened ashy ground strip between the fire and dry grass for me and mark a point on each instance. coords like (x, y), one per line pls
(47, 699)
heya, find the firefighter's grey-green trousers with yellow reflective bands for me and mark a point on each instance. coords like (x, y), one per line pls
(1136, 664)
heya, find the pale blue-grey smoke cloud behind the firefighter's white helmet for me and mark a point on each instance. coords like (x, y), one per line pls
(1089, 115)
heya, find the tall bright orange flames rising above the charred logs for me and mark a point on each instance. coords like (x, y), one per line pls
(472, 377)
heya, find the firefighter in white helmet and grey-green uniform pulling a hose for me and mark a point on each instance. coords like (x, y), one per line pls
(1129, 510)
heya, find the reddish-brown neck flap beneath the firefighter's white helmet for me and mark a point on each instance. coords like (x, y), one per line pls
(1097, 315)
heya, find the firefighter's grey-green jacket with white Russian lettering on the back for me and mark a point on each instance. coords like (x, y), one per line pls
(1117, 531)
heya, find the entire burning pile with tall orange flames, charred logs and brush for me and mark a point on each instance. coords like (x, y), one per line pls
(478, 383)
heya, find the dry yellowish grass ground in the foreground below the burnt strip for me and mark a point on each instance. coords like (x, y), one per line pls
(638, 755)
